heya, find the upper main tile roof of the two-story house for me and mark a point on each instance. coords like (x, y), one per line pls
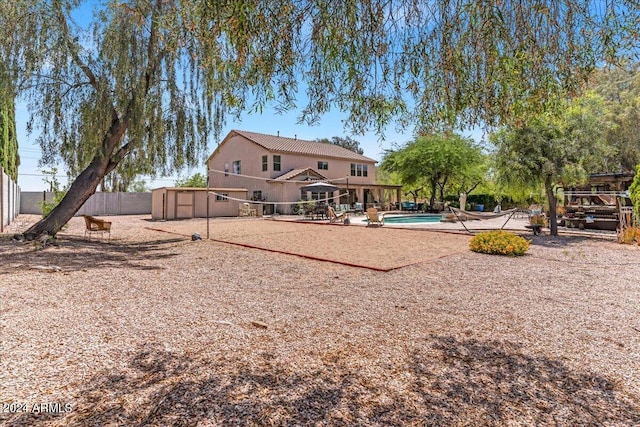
(300, 146)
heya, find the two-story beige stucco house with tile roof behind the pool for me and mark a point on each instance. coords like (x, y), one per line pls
(273, 168)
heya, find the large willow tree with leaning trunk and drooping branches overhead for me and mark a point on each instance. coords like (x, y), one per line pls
(150, 81)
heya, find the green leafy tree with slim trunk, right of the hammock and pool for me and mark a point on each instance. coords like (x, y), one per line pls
(559, 147)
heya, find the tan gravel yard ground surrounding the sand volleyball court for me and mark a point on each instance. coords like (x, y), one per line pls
(152, 328)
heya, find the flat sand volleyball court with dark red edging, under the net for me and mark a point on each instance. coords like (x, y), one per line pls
(374, 247)
